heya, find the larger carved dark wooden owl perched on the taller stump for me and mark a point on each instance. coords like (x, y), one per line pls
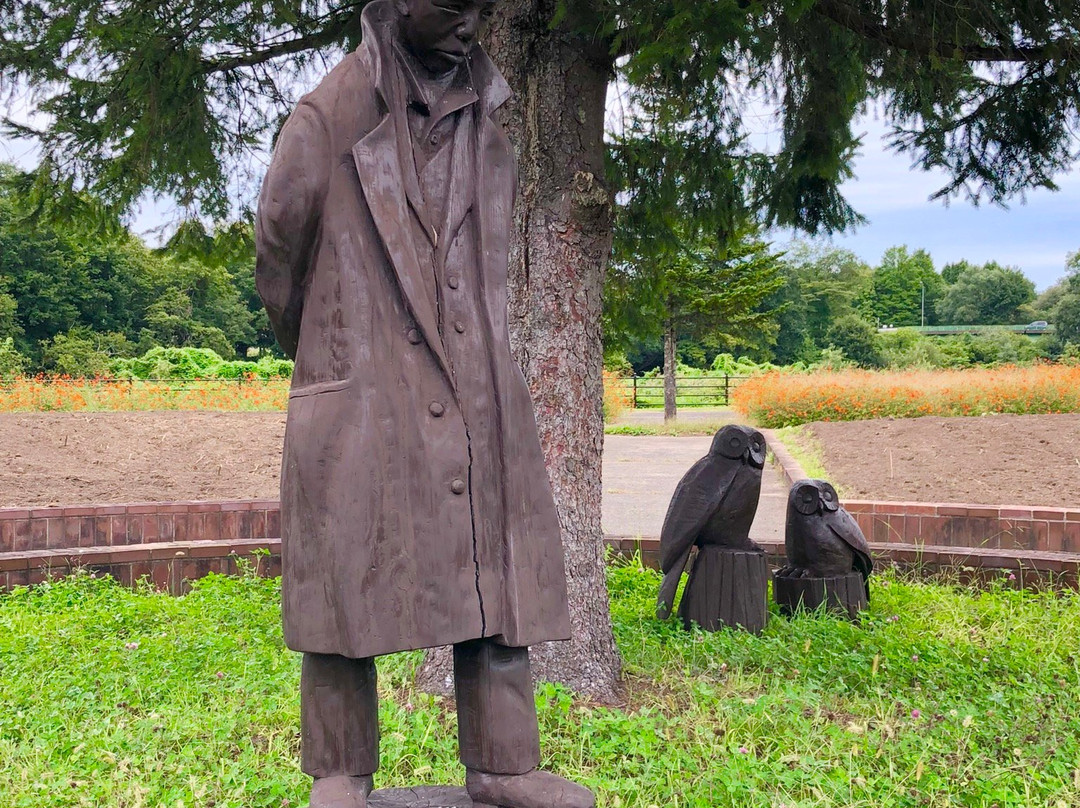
(714, 505)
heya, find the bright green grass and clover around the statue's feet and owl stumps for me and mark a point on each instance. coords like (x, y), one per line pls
(117, 698)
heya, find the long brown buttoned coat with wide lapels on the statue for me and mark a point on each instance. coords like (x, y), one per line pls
(395, 536)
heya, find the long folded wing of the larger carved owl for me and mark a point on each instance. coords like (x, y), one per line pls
(699, 495)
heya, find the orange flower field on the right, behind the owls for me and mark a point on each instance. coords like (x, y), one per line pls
(789, 399)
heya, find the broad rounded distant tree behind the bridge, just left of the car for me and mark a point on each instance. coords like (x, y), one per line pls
(988, 295)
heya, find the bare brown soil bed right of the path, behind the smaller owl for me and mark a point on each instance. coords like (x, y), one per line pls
(995, 460)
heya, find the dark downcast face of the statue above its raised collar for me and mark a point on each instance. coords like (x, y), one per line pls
(440, 33)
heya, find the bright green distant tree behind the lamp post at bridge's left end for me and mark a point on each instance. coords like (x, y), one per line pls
(904, 289)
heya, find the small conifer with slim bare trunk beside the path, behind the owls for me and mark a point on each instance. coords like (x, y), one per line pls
(697, 290)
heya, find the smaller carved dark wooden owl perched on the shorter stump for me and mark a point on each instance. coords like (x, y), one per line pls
(822, 540)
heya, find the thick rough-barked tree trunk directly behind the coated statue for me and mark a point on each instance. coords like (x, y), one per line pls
(560, 249)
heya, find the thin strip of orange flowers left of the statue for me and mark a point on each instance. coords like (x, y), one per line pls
(45, 394)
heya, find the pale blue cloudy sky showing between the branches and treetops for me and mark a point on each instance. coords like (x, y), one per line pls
(1035, 235)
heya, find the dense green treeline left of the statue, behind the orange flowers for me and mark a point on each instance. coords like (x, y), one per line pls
(79, 292)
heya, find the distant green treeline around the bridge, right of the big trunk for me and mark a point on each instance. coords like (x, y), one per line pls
(832, 305)
